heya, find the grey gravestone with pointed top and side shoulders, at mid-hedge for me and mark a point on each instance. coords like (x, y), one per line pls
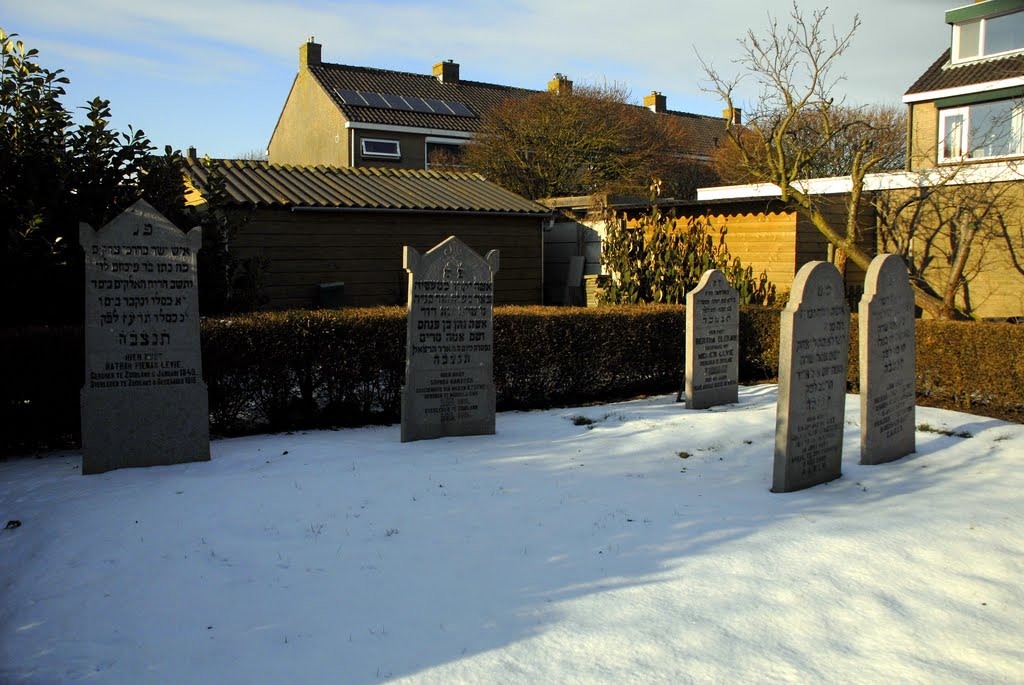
(450, 379)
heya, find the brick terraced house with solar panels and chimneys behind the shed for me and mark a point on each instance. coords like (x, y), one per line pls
(343, 116)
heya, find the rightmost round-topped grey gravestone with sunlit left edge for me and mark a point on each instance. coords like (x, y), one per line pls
(888, 386)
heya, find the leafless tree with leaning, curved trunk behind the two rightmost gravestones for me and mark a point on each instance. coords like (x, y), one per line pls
(797, 121)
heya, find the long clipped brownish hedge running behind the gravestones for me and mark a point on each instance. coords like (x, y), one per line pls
(283, 371)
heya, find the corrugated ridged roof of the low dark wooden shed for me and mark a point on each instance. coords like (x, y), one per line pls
(266, 185)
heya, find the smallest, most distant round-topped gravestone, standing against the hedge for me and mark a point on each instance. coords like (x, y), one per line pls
(712, 342)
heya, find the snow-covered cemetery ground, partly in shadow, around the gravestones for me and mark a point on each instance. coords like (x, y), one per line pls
(627, 543)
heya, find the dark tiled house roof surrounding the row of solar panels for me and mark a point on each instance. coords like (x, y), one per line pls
(478, 97)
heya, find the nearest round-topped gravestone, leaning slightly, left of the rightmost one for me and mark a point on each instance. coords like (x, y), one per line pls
(814, 355)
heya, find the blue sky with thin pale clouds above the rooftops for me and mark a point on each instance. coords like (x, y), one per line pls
(216, 75)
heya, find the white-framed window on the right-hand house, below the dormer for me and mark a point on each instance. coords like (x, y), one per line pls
(983, 131)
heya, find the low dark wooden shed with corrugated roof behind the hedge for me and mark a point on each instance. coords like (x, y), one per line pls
(335, 236)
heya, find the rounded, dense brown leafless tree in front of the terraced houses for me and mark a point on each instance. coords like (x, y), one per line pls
(587, 141)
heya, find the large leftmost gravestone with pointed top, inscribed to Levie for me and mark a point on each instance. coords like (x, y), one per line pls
(144, 402)
